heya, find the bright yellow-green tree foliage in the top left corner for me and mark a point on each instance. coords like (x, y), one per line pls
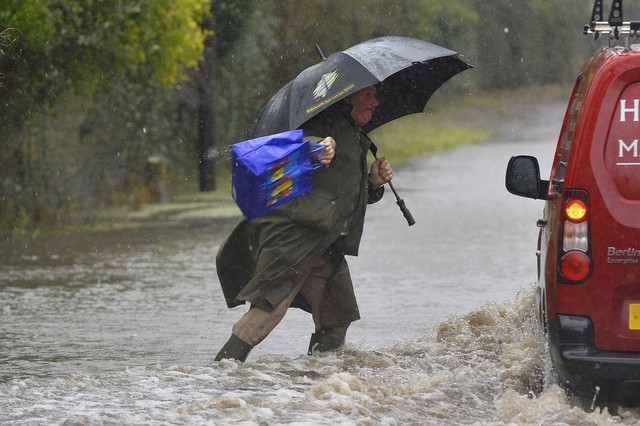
(82, 45)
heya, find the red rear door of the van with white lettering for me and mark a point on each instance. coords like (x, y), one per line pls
(610, 173)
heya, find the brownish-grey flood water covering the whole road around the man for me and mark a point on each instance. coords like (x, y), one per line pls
(122, 327)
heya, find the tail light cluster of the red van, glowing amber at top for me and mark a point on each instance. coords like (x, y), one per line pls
(575, 264)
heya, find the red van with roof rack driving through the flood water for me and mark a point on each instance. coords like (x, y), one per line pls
(589, 242)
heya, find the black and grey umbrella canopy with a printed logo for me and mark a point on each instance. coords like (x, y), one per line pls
(410, 71)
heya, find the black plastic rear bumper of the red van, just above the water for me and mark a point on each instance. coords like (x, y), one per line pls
(581, 366)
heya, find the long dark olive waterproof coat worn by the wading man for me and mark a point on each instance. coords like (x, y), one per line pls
(264, 259)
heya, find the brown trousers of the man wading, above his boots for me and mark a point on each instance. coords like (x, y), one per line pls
(257, 323)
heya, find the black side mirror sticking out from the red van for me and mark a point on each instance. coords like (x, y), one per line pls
(523, 178)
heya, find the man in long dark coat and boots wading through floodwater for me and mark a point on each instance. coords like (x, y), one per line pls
(293, 255)
